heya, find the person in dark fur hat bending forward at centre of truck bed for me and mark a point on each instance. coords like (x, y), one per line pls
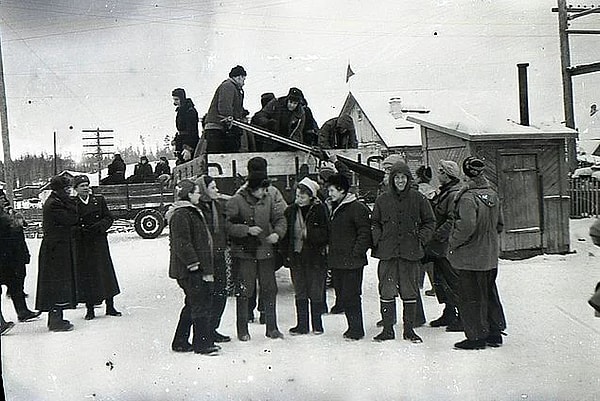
(283, 116)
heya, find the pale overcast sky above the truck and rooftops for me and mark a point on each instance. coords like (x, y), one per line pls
(112, 64)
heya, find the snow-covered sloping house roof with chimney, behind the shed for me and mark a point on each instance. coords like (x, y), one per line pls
(393, 132)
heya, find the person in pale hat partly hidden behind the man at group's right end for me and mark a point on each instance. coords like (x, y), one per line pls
(445, 277)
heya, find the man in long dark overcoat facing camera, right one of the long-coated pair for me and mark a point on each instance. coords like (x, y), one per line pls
(96, 278)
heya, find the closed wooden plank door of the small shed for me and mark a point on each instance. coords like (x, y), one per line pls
(519, 190)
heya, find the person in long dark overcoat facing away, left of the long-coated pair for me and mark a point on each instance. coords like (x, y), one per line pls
(56, 269)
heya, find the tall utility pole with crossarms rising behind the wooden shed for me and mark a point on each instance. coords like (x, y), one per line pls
(566, 14)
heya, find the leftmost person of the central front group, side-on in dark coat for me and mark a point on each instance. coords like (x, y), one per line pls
(192, 265)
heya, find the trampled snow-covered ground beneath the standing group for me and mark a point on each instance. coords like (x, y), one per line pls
(550, 353)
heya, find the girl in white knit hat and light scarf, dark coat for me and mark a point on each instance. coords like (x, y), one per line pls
(304, 248)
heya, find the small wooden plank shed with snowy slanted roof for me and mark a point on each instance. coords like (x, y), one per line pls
(526, 165)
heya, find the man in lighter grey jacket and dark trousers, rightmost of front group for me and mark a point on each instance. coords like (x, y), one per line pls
(473, 251)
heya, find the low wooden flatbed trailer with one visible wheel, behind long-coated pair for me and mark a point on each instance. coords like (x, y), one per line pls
(144, 203)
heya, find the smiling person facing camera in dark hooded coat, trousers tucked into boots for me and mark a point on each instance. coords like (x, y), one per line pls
(402, 222)
